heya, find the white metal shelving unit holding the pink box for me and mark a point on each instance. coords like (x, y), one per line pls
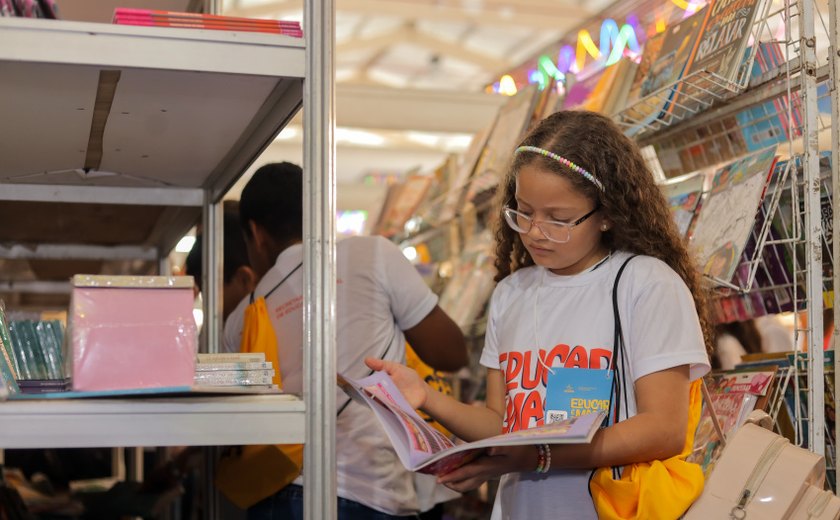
(180, 114)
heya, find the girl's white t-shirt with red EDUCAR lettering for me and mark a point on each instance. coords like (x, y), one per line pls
(568, 322)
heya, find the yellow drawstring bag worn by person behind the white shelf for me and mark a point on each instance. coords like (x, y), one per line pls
(252, 473)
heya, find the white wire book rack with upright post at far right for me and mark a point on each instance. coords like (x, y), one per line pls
(796, 79)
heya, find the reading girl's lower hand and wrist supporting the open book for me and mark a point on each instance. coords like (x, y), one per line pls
(497, 462)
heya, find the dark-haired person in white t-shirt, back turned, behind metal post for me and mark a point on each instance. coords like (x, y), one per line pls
(381, 302)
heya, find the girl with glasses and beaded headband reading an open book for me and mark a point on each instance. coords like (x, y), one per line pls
(578, 205)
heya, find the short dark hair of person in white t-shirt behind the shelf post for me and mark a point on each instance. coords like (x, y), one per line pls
(273, 199)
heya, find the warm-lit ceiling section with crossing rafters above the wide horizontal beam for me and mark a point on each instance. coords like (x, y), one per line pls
(434, 44)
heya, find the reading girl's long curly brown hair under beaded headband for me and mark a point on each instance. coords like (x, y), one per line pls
(631, 201)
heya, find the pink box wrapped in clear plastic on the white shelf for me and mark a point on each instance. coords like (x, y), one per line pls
(131, 332)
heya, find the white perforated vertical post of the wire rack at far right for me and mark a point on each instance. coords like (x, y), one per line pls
(813, 227)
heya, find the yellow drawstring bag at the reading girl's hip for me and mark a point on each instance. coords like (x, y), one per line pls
(656, 490)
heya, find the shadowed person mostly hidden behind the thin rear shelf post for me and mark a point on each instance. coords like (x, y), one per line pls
(238, 278)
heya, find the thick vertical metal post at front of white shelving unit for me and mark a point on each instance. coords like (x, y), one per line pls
(319, 276)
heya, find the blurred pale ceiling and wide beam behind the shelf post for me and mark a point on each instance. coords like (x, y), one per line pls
(396, 50)
